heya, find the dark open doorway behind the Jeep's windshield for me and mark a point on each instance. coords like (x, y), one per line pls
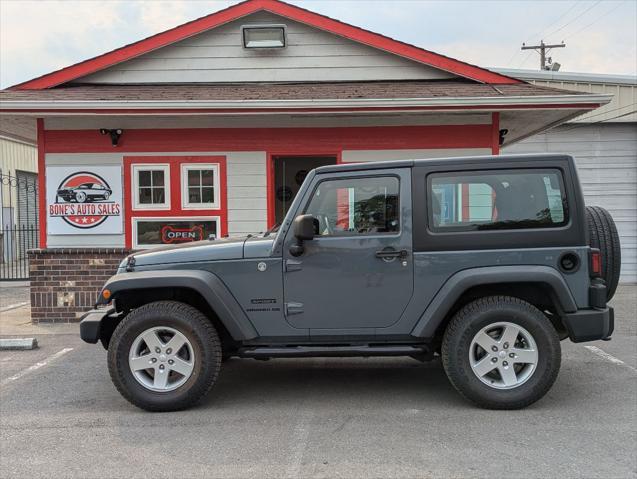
(289, 173)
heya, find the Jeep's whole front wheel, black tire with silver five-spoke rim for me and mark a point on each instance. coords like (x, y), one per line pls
(164, 356)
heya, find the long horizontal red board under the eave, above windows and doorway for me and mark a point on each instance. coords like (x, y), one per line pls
(293, 140)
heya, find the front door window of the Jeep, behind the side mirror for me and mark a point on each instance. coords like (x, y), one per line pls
(356, 206)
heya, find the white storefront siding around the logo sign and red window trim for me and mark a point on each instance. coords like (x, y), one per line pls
(246, 180)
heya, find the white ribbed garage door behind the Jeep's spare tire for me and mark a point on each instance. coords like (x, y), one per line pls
(606, 157)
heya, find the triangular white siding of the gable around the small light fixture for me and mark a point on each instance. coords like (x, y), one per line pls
(218, 56)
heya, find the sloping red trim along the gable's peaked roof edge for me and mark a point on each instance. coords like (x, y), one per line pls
(277, 7)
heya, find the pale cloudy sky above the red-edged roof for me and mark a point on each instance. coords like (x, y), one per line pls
(40, 36)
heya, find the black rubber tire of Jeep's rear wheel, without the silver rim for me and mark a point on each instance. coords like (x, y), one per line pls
(488, 310)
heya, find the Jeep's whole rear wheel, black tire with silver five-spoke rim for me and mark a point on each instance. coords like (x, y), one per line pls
(501, 353)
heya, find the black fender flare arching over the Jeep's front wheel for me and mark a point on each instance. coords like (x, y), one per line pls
(207, 284)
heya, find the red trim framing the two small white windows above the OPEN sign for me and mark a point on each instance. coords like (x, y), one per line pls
(175, 186)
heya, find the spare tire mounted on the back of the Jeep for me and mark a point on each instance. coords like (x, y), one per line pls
(603, 235)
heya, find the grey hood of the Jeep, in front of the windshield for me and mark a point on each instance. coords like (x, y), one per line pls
(206, 250)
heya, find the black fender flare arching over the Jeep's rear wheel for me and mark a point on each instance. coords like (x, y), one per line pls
(461, 281)
